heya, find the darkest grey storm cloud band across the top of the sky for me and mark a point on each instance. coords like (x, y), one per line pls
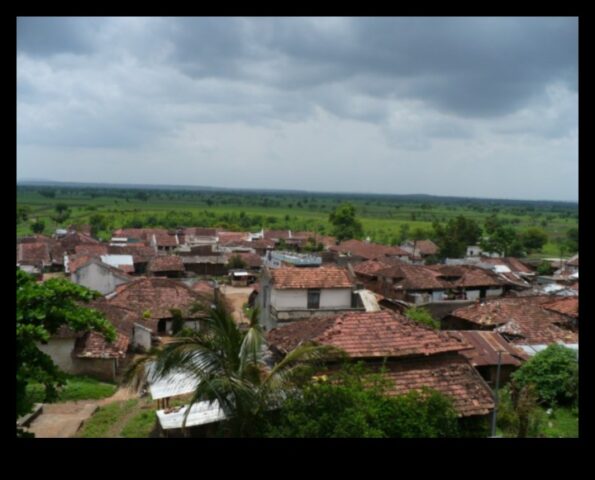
(467, 66)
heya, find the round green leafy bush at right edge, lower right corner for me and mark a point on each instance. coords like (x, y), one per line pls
(553, 372)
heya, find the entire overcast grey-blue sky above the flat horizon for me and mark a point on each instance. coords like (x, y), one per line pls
(480, 107)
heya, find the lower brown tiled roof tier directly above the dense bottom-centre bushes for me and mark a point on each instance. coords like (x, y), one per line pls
(452, 376)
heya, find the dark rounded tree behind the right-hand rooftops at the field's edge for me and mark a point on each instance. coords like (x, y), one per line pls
(454, 237)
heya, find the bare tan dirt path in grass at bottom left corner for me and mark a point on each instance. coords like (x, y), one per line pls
(62, 420)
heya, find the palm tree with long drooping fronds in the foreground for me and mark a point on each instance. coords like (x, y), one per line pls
(230, 366)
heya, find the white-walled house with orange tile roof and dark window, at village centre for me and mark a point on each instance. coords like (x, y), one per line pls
(293, 293)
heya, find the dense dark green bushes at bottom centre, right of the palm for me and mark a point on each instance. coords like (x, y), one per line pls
(353, 403)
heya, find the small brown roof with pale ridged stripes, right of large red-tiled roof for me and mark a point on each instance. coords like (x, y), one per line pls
(485, 349)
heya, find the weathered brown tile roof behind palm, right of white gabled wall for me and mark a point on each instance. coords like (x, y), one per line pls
(155, 297)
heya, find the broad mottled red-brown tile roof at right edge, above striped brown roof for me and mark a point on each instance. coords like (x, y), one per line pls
(525, 317)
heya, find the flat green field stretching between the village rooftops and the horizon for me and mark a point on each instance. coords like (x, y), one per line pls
(382, 216)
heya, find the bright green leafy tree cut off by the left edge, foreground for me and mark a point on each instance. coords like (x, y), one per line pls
(42, 308)
